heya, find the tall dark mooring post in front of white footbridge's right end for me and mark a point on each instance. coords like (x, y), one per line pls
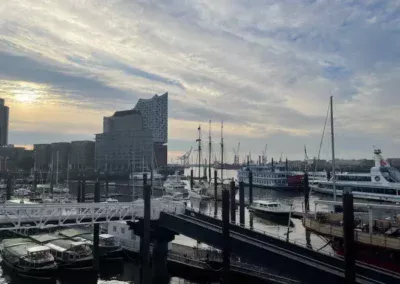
(145, 240)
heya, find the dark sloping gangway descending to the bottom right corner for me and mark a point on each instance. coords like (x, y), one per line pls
(309, 265)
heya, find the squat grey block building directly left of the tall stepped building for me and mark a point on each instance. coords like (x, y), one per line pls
(82, 155)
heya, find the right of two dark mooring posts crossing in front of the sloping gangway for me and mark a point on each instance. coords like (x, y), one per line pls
(348, 232)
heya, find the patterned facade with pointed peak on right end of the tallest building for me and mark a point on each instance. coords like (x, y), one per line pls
(155, 118)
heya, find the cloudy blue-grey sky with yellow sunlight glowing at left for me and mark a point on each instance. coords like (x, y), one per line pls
(266, 68)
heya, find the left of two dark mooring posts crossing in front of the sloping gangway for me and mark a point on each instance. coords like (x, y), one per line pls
(225, 231)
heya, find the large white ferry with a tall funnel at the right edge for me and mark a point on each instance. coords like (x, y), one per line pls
(381, 184)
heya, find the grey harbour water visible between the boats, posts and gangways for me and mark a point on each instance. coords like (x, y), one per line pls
(128, 272)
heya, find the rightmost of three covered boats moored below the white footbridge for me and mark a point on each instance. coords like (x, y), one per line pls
(108, 248)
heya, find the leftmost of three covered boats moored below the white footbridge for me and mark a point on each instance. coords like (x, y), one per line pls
(28, 259)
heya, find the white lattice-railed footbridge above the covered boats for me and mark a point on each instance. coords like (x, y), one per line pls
(15, 216)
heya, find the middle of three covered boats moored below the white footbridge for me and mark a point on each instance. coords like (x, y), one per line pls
(69, 254)
